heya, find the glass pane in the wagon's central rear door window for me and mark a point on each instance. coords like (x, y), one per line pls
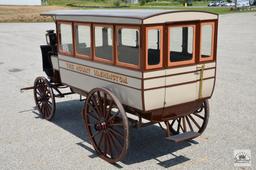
(181, 43)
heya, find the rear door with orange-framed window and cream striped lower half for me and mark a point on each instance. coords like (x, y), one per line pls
(182, 73)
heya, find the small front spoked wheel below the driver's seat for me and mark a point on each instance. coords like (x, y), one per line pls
(44, 98)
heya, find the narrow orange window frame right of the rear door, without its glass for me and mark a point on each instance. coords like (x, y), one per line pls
(211, 57)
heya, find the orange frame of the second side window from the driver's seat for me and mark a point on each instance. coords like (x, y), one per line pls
(77, 54)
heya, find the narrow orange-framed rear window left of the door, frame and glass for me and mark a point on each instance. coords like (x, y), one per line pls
(154, 47)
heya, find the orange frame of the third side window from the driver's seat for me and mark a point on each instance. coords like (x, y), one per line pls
(99, 59)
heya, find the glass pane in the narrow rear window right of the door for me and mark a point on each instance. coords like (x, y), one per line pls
(206, 41)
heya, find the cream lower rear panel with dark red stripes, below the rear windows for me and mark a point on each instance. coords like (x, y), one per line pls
(175, 86)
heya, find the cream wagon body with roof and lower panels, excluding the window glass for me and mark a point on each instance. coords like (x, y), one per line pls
(143, 89)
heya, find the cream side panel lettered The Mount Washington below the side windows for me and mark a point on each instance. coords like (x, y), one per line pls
(126, 85)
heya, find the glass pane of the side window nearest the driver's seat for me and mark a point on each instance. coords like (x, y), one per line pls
(66, 38)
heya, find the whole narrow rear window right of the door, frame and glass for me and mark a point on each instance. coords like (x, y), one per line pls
(206, 50)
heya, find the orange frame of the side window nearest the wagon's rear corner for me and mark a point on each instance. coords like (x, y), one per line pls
(123, 64)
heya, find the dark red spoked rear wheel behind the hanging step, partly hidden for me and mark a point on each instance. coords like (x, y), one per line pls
(194, 122)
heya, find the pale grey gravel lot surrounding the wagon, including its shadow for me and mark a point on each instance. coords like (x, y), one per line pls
(28, 142)
